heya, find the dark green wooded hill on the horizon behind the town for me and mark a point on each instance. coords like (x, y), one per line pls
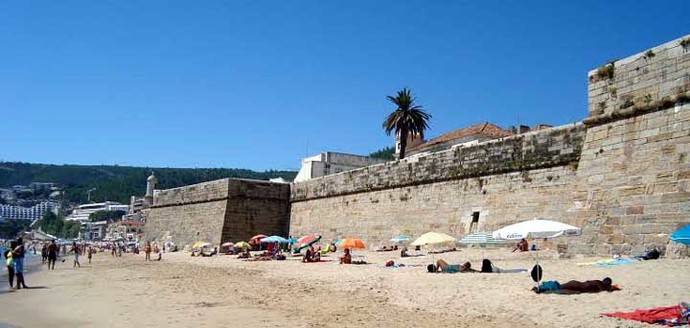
(117, 183)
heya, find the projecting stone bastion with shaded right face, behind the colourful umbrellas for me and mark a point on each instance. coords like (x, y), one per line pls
(219, 211)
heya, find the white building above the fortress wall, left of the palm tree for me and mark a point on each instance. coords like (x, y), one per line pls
(328, 163)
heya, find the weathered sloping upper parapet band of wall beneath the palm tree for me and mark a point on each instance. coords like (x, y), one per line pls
(535, 150)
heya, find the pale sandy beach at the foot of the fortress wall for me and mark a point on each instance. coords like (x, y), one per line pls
(184, 291)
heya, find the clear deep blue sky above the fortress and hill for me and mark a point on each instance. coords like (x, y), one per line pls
(257, 84)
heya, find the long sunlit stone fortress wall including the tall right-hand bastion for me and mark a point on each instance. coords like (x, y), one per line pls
(622, 174)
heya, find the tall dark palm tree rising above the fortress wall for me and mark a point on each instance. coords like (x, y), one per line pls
(407, 118)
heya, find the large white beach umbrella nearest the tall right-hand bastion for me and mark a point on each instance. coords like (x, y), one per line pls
(535, 229)
